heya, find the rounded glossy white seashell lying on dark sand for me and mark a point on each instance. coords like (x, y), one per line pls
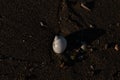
(59, 44)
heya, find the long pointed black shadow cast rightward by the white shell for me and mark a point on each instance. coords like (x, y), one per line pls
(87, 36)
